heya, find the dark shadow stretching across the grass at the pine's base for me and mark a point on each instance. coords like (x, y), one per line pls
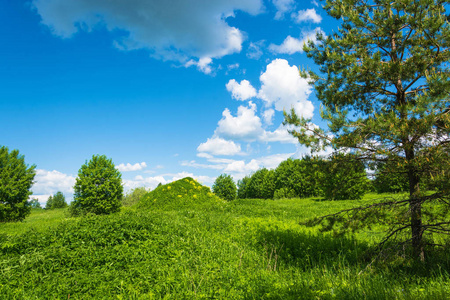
(312, 250)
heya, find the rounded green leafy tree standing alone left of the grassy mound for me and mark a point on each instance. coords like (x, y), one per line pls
(98, 188)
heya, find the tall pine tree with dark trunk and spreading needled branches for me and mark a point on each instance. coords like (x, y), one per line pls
(384, 87)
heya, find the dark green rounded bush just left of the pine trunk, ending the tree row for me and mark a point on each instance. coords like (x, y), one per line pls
(344, 177)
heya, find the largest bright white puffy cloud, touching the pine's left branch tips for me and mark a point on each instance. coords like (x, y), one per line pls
(282, 86)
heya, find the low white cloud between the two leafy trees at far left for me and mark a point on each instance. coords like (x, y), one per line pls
(49, 182)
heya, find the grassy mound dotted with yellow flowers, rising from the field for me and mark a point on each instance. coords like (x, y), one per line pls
(185, 192)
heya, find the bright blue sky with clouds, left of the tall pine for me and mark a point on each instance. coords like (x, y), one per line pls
(166, 89)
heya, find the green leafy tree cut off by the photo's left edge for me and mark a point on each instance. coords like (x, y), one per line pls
(16, 179)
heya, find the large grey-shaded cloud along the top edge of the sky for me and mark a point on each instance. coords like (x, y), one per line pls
(178, 30)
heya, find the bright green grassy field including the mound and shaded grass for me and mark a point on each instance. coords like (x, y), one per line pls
(183, 243)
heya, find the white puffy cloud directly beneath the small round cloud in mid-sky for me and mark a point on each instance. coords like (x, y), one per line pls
(245, 126)
